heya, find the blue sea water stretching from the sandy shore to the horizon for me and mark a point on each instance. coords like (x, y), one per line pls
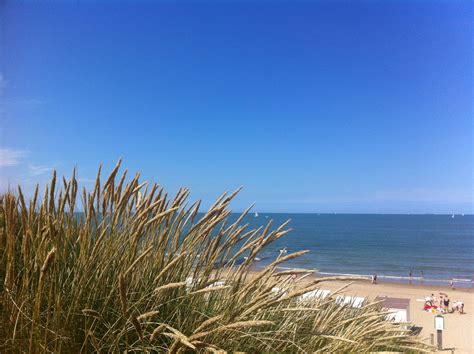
(440, 246)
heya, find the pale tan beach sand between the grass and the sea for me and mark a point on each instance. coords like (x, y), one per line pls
(459, 329)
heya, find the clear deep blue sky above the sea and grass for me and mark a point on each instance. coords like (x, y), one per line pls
(360, 106)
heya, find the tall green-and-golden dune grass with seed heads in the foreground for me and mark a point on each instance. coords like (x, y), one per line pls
(138, 271)
